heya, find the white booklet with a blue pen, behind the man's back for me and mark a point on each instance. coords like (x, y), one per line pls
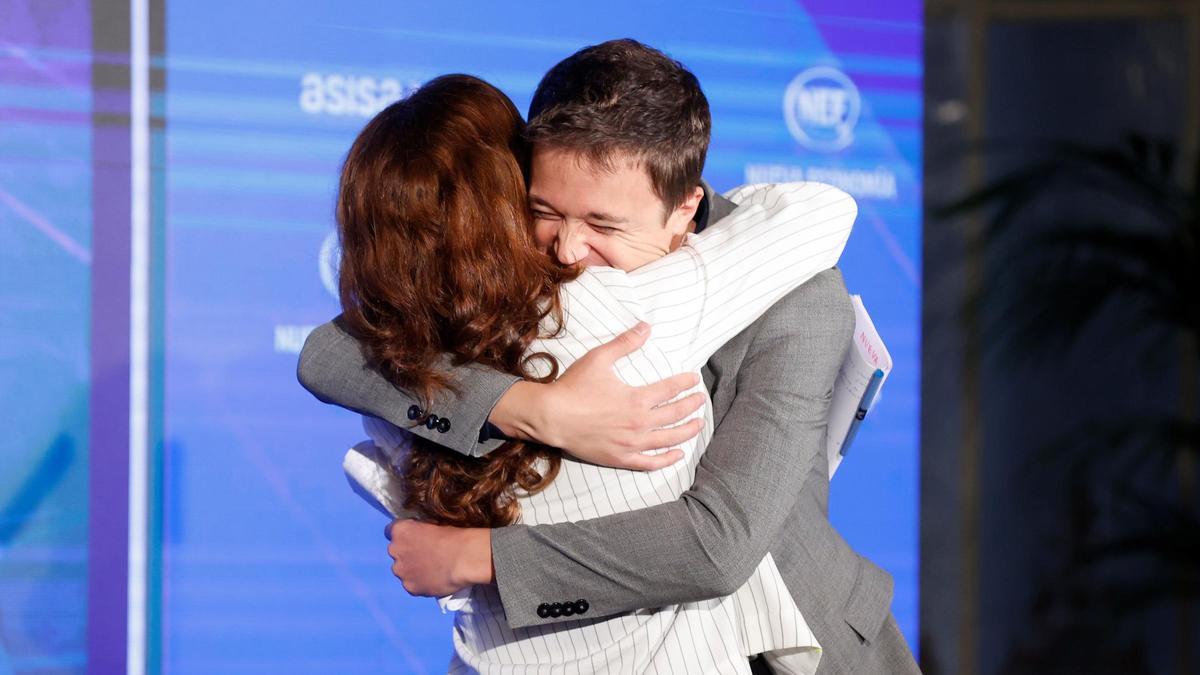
(857, 389)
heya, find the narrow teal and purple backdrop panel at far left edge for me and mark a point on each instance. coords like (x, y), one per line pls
(46, 199)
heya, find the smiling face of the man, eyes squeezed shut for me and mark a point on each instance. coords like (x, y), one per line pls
(590, 216)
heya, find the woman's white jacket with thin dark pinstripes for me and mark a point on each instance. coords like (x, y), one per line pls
(697, 300)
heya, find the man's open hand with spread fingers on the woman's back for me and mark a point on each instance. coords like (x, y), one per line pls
(591, 414)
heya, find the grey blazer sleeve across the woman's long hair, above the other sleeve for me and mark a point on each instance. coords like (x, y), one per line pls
(334, 369)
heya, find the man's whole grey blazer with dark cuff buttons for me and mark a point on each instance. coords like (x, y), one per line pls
(759, 488)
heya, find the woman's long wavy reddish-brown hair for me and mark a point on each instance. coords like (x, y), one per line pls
(439, 260)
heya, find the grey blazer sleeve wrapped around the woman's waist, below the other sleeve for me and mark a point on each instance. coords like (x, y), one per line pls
(707, 543)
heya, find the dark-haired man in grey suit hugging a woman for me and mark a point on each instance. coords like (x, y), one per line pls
(620, 135)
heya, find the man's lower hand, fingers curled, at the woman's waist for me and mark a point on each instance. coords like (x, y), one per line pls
(436, 561)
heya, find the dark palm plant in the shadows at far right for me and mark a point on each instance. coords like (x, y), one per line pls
(1101, 246)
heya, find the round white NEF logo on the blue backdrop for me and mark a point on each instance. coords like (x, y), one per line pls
(821, 107)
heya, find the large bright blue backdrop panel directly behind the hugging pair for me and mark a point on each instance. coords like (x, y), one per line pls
(269, 563)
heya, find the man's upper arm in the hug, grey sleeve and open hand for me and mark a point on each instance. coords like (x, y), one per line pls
(589, 411)
